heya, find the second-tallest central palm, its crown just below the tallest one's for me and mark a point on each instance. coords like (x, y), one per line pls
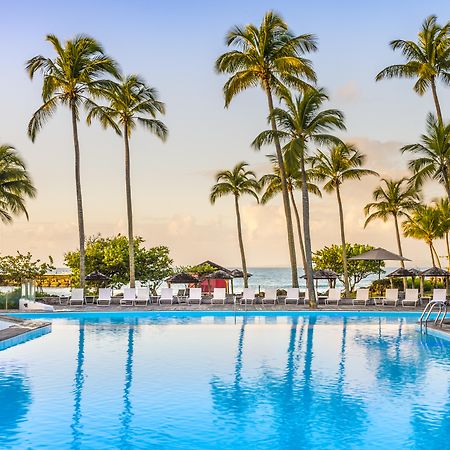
(302, 121)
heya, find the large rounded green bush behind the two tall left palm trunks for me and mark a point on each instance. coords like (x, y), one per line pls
(110, 256)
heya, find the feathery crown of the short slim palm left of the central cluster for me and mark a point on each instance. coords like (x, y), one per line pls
(237, 182)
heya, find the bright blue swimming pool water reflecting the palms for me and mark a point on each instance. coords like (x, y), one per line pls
(208, 381)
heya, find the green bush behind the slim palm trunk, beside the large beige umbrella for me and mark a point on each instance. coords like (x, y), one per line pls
(331, 258)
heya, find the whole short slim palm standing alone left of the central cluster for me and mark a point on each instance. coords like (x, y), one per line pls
(237, 182)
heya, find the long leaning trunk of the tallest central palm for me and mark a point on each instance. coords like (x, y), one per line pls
(284, 189)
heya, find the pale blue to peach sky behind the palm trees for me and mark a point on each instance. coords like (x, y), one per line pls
(173, 45)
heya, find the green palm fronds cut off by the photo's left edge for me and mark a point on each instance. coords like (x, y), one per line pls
(15, 184)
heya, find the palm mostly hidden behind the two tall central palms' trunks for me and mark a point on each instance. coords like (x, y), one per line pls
(272, 183)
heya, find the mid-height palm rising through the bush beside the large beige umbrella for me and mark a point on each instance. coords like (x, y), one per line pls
(342, 163)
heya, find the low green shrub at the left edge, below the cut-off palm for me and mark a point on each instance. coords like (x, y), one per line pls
(15, 269)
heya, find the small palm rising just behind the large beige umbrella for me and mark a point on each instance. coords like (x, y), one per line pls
(396, 199)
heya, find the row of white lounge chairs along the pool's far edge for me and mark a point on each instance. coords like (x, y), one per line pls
(141, 297)
